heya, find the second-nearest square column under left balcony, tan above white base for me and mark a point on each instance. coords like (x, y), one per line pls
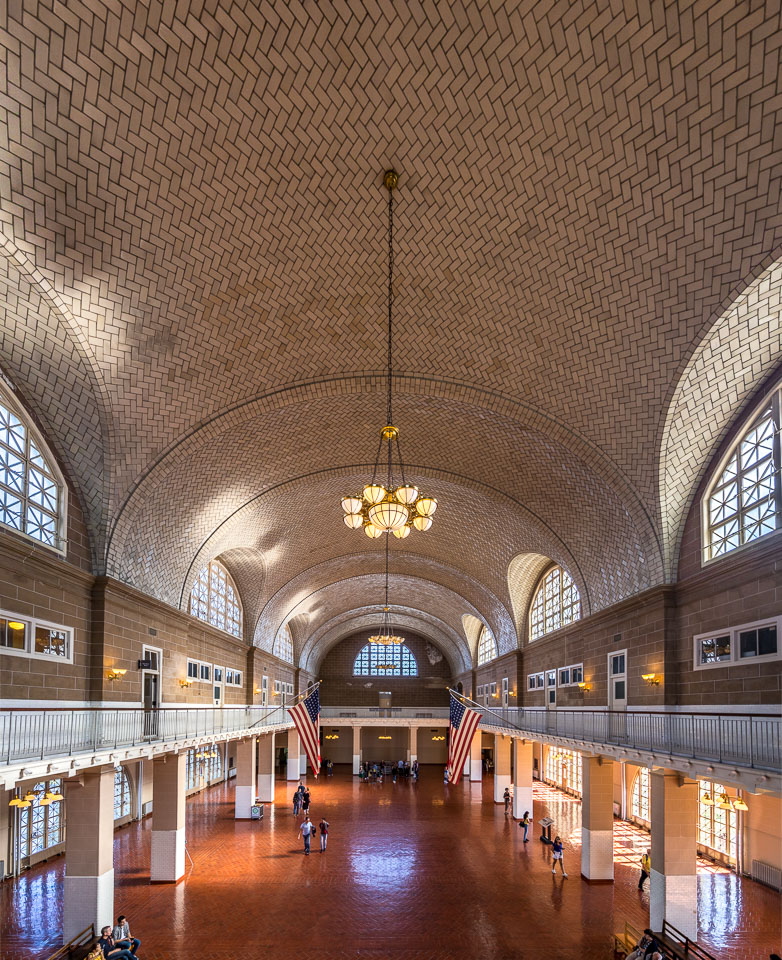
(167, 860)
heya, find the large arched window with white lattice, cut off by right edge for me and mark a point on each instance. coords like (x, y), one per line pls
(743, 501)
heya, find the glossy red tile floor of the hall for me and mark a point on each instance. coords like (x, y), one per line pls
(411, 872)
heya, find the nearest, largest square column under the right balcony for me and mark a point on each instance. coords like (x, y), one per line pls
(673, 884)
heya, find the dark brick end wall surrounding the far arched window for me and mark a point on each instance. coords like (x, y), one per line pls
(341, 687)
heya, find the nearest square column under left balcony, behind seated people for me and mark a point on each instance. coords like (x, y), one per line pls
(89, 852)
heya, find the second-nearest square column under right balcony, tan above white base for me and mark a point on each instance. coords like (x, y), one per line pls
(597, 818)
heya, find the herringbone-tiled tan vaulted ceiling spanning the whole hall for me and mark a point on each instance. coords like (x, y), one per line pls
(193, 223)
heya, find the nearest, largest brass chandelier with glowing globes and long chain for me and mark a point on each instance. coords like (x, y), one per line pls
(391, 508)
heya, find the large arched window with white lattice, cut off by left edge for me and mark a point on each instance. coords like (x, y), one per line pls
(32, 491)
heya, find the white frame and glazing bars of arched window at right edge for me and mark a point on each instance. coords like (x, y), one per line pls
(773, 397)
